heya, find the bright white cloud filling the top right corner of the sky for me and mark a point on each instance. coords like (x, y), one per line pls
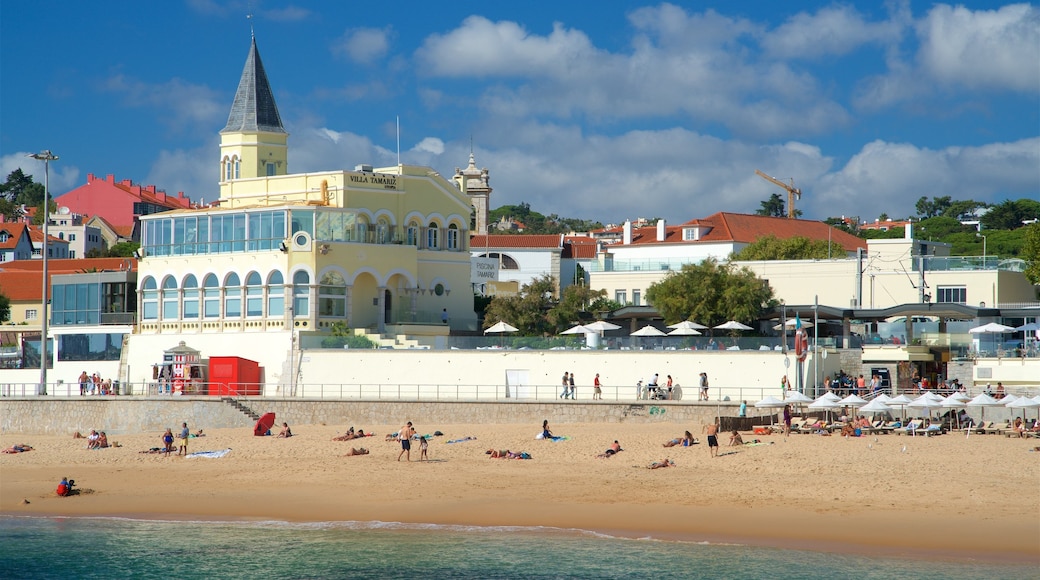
(984, 49)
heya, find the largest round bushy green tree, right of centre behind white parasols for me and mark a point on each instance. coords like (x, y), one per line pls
(711, 294)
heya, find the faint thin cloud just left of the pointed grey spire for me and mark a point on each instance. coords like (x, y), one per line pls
(181, 104)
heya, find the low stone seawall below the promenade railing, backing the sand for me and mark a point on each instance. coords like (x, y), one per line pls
(120, 416)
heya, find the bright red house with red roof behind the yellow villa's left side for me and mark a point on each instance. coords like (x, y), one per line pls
(120, 203)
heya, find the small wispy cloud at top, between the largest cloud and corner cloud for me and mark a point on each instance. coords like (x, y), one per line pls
(831, 32)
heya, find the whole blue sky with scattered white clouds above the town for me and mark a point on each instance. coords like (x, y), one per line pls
(607, 111)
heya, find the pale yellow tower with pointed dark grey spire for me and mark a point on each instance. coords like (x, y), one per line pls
(254, 143)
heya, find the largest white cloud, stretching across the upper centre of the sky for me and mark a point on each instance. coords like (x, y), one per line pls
(693, 66)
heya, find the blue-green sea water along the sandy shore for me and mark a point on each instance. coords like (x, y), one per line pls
(118, 548)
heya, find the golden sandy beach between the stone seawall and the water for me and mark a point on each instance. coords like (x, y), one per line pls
(946, 497)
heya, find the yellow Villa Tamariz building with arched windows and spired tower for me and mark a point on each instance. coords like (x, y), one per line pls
(282, 256)
